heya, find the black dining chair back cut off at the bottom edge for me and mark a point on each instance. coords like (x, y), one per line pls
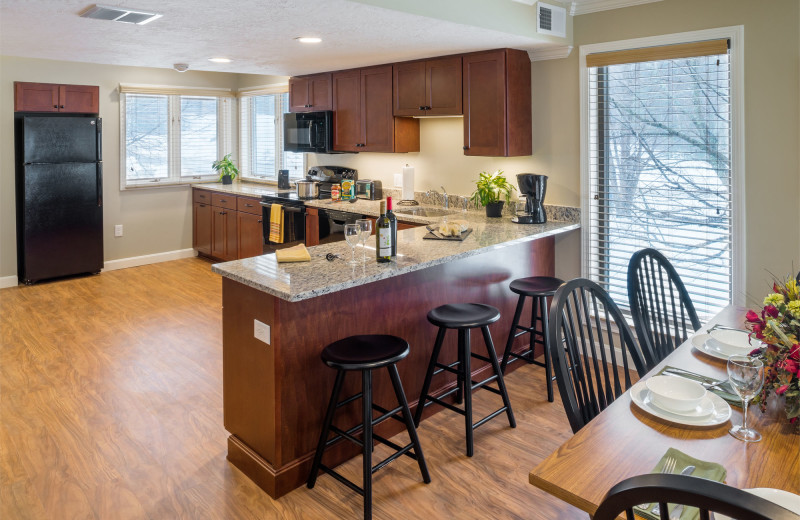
(706, 495)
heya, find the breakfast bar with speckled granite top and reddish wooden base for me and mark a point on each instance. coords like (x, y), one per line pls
(277, 318)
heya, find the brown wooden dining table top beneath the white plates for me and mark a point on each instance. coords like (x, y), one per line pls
(623, 441)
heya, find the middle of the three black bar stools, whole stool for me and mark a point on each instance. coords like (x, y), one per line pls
(463, 317)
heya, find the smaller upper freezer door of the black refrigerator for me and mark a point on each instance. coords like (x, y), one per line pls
(61, 139)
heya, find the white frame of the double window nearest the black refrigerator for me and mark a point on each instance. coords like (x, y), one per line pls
(226, 128)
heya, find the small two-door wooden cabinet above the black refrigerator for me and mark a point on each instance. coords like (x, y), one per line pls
(50, 97)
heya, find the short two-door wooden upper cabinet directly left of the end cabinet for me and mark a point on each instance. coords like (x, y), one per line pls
(429, 87)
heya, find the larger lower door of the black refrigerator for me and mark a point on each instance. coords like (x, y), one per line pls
(62, 221)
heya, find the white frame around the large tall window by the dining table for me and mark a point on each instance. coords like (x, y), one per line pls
(738, 238)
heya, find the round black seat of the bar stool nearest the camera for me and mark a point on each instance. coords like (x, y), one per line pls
(365, 352)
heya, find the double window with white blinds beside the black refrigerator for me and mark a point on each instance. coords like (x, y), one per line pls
(173, 136)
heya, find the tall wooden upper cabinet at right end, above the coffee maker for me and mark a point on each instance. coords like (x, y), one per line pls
(497, 103)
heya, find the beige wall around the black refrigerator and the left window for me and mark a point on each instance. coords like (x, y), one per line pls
(154, 220)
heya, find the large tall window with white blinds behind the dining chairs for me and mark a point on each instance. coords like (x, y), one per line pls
(659, 164)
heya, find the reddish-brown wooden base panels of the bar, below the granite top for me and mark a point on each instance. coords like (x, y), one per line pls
(275, 395)
